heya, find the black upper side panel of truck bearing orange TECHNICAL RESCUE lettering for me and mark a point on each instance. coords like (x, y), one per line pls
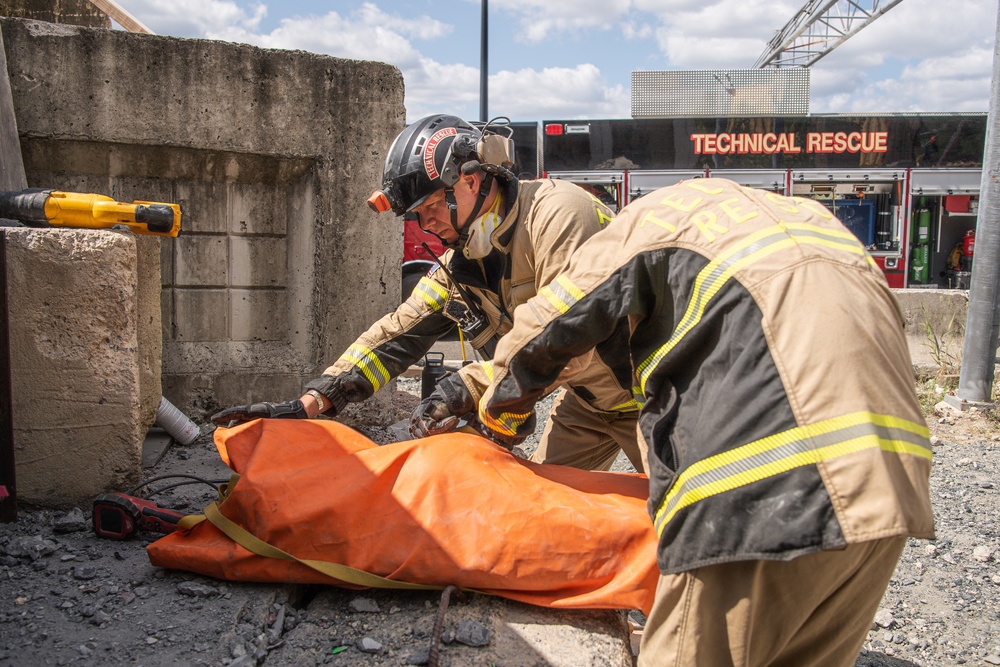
(834, 141)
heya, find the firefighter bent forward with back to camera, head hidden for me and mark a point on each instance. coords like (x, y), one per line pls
(789, 457)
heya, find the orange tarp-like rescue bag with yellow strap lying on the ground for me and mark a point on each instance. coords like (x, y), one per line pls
(317, 502)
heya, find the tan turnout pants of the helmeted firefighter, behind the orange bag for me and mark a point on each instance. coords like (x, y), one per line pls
(579, 436)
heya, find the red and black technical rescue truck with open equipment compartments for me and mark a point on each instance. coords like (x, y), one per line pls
(907, 185)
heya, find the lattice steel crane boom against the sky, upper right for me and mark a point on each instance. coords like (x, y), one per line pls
(818, 28)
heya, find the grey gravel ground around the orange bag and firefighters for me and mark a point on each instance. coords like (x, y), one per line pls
(69, 598)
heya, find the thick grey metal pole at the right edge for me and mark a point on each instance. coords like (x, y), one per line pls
(979, 349)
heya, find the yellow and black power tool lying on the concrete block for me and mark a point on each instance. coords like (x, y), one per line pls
(52, 208)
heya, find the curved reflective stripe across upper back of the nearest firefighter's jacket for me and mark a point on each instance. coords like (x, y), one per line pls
(717, 273)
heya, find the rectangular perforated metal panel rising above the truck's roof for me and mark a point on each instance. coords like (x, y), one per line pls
(720, 93)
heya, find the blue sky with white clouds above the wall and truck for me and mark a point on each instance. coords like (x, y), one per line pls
(574, 58)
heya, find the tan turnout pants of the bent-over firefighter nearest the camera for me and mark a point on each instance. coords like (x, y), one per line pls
(813, 611)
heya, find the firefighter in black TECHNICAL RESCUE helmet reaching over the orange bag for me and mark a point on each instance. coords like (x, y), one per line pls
(507, 239)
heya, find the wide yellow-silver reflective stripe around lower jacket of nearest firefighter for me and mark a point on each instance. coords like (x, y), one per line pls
(797, 447)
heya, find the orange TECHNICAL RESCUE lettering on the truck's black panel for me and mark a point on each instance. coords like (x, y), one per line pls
(788, 142)
